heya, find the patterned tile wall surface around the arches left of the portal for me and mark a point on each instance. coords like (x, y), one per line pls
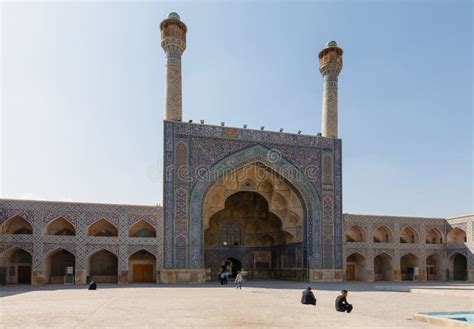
(81, 215)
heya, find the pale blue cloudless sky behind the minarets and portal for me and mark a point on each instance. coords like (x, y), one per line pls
(83, 84)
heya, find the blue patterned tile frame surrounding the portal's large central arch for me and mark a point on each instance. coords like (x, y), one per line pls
(212, 150)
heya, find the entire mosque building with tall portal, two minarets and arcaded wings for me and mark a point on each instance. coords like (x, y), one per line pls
(266, 203)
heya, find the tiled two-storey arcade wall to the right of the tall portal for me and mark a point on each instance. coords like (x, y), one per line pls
(445, 248)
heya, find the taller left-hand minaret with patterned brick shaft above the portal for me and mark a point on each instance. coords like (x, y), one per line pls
(173, 42)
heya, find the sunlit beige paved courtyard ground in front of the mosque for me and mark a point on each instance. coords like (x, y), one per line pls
(257, 305)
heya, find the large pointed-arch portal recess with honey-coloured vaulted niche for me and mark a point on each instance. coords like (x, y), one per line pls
(254, 219)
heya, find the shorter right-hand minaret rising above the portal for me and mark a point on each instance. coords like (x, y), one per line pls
(330, 65)
